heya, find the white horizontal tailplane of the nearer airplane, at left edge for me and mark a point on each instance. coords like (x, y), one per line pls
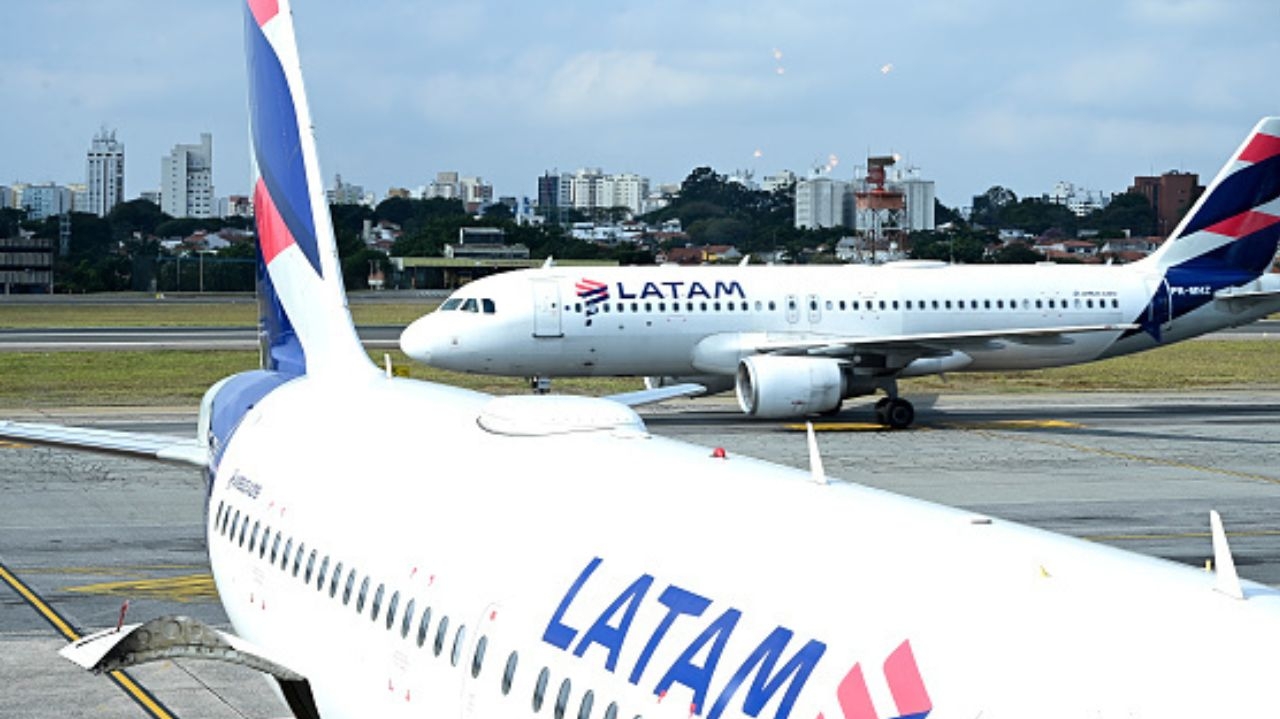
(164, 448)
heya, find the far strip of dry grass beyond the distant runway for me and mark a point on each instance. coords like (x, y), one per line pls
(186, 314)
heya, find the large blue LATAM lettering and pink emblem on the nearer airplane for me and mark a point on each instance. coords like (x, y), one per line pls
(776, 667)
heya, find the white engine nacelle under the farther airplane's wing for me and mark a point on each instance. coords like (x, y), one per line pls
(778, 387)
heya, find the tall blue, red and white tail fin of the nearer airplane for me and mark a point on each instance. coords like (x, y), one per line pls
(305, 326)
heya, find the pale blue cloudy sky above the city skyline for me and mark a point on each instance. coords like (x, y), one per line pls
(973, 94)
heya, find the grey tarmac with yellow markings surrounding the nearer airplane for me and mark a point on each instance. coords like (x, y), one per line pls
(1137, 471)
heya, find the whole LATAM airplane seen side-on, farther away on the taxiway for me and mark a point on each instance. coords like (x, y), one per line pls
(796, 341)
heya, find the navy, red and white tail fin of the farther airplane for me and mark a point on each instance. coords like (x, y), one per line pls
(1235, 228)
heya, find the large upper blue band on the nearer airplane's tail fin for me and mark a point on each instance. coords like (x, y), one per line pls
(277, 144)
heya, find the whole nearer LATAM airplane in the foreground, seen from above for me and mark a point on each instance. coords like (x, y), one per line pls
(545, 556)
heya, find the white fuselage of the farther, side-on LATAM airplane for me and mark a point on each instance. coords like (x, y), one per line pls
(684, 322)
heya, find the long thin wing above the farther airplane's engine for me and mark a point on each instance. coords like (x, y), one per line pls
(929, 344)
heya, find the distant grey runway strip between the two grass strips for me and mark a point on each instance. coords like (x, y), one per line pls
(376, 337)
